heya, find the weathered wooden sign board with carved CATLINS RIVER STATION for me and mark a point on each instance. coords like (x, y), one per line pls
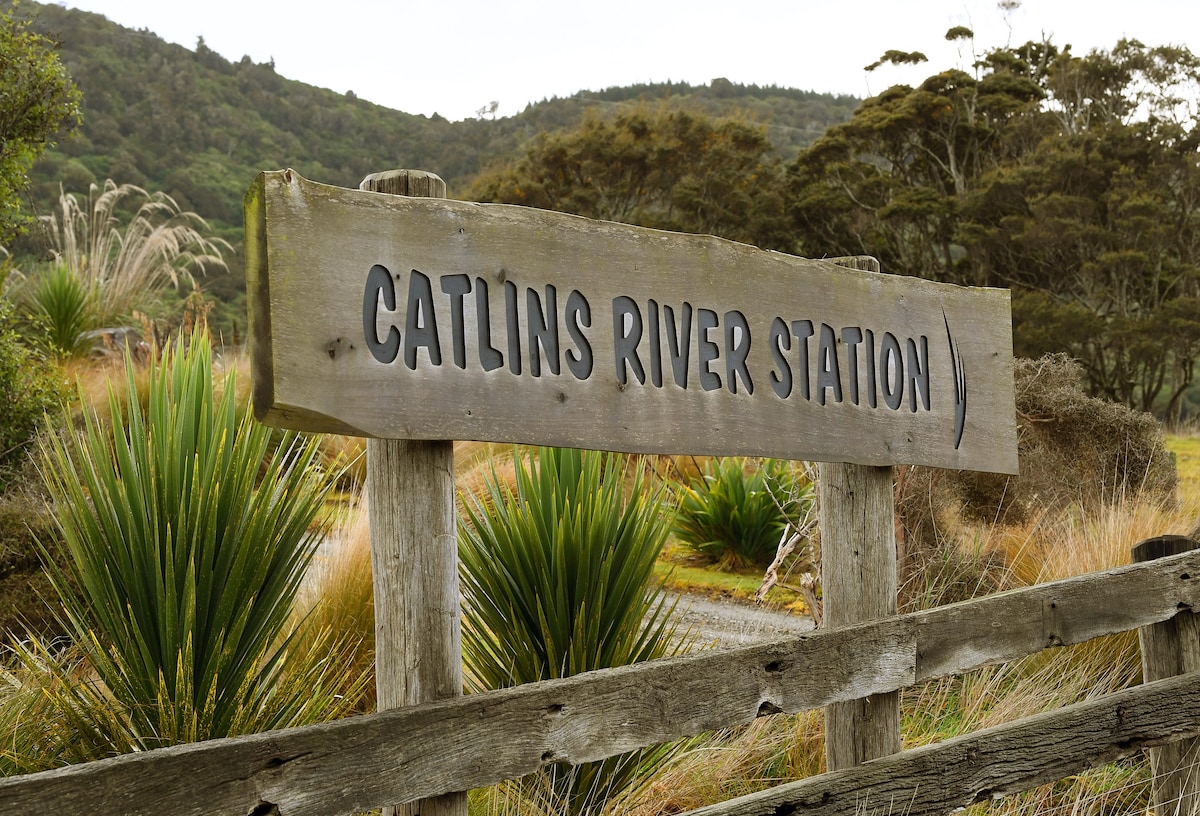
(418, 319)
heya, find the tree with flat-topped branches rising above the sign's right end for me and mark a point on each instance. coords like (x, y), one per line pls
(891, 182)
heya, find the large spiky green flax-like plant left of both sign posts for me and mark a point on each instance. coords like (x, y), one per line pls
(188, 535)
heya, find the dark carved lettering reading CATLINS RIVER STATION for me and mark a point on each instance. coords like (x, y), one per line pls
(419, 320)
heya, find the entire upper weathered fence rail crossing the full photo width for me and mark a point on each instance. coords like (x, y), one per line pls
(359, 764)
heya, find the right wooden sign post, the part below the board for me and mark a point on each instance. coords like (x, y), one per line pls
(859, 584)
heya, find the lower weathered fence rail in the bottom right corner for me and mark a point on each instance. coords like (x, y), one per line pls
(991, 764)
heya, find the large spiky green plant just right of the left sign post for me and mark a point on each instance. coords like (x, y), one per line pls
(557, 579)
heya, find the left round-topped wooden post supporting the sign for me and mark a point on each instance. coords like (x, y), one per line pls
(415, 556)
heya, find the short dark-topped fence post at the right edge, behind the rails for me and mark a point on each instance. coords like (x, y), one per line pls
(1172, 649)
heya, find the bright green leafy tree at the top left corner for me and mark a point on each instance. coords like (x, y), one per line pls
(38, 100)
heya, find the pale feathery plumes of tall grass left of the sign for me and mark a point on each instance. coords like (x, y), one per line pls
(127, 263)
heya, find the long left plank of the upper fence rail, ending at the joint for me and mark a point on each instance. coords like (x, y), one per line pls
(356, 765)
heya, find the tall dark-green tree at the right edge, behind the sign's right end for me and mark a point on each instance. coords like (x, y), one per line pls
(1100, 225)
